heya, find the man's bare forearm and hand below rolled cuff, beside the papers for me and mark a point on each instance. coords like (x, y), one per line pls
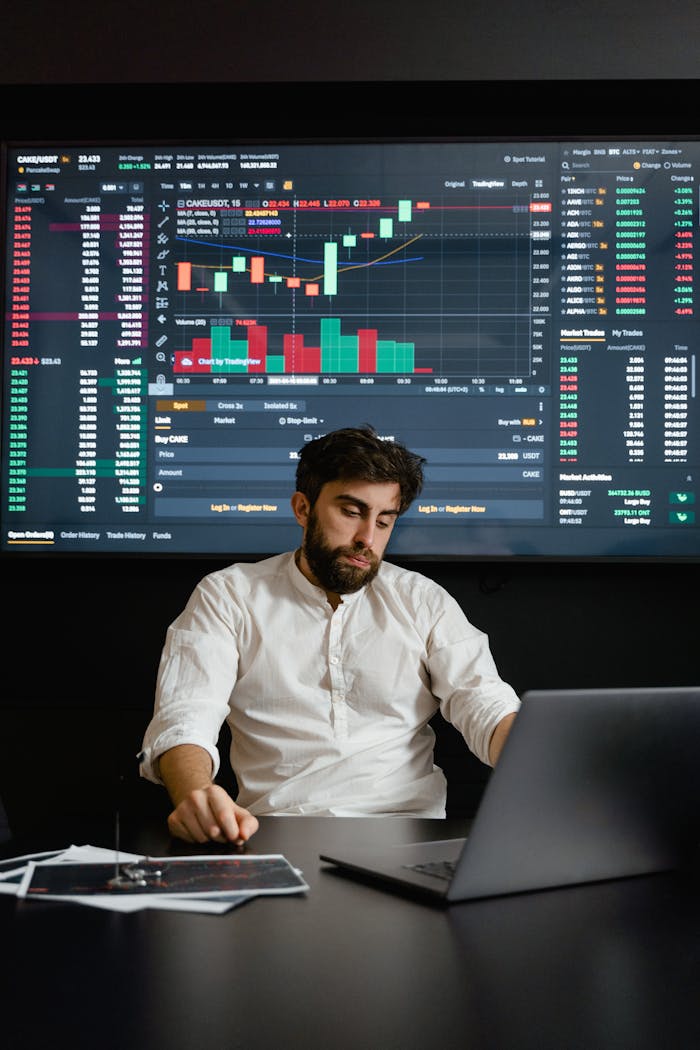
(204, 811)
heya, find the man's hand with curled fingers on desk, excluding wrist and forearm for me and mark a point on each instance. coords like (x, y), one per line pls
(210, 814)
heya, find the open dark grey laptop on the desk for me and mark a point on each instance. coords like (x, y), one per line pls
(592, 785)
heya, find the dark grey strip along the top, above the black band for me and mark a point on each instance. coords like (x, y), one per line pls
(116, 41)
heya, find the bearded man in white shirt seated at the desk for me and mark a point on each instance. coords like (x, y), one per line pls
(328, 664)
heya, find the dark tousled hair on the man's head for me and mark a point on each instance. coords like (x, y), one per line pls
(359, 454)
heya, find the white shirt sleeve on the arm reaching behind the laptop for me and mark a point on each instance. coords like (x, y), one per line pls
(464, 679)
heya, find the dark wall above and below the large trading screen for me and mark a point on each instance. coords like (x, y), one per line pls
(83, 638)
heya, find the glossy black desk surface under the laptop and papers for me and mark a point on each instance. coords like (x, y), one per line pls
(350, 967)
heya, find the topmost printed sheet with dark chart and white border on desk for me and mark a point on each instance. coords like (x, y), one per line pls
(173, 876)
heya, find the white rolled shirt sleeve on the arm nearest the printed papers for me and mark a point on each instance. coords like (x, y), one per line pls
(197, 675)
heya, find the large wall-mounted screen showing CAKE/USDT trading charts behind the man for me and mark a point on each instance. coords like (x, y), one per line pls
(181, 319)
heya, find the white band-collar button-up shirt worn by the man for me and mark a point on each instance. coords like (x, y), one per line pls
(329, 710)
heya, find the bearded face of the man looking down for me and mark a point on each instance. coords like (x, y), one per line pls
(347, 533)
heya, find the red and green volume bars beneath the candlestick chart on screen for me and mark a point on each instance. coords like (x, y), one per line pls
(226, 352)
